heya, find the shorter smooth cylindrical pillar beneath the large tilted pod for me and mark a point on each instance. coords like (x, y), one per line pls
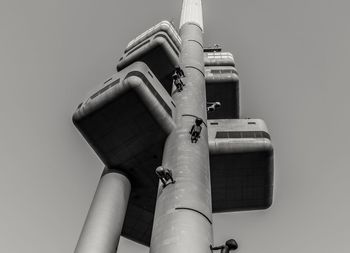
(104, 222)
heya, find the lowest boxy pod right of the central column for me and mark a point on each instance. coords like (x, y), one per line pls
(241, 161)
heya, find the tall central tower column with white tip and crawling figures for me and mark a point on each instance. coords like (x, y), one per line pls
(183, 215)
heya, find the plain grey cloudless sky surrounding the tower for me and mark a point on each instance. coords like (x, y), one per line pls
(293, 61)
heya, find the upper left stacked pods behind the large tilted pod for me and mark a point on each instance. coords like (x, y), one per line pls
(159, 48)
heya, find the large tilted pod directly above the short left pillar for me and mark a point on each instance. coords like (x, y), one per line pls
(126, 115)
